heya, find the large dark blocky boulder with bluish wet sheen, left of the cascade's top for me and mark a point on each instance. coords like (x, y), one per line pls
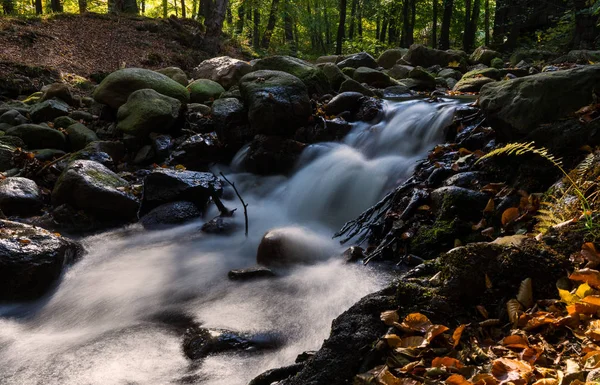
(277, 102)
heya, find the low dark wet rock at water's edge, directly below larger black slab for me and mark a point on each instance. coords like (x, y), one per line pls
(170, 214)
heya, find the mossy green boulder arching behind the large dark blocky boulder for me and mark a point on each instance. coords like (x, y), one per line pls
(312, 76)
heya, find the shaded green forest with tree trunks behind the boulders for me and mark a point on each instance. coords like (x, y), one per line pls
(309, 28)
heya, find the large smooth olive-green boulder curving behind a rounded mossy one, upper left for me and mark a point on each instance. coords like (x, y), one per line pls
(116, 87)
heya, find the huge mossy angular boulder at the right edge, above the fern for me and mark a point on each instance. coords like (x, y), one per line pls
(524, 103)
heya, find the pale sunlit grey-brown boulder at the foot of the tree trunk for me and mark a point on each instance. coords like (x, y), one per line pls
(224, 70)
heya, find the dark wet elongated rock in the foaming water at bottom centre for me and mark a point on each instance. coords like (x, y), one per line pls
(199, 342)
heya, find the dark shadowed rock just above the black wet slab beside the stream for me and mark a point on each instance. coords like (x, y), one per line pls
(198, 151)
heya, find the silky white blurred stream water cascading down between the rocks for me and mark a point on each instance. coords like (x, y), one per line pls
(101, 326)
